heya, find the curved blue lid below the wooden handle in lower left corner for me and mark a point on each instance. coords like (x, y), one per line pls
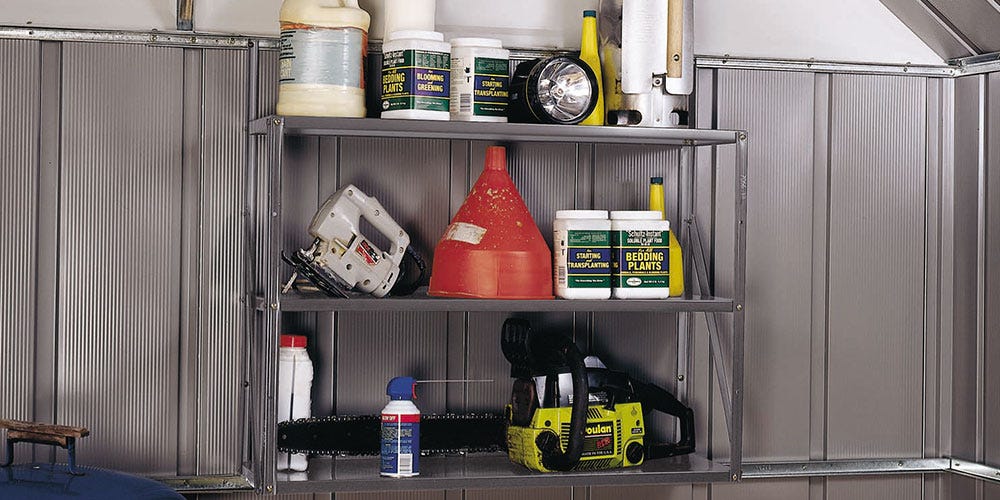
(43, 481)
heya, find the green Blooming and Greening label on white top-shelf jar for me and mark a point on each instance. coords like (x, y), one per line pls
(416, 79)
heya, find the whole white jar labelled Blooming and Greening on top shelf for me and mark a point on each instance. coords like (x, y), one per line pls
(416, 69)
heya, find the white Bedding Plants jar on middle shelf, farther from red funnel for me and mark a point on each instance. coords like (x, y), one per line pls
(640, 260)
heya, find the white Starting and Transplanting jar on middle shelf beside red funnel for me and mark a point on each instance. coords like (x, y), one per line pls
(582, 256)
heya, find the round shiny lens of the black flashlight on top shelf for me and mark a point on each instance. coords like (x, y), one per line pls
(564, 90)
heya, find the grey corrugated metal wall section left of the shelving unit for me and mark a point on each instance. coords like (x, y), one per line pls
(111, 181)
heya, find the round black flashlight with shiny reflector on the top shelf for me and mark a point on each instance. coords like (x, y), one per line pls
(560, 90)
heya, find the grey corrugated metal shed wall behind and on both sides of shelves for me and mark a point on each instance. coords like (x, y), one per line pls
(149, 203)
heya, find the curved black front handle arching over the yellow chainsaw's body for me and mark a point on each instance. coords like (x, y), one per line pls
(553, 458)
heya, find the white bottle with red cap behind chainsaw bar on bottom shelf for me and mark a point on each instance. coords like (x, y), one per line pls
(295, 374)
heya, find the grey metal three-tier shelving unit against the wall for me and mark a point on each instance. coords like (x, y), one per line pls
(265, 272)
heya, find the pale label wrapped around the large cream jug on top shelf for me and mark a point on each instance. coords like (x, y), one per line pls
(324, 56)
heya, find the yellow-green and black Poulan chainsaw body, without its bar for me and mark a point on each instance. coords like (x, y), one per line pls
(568, 412)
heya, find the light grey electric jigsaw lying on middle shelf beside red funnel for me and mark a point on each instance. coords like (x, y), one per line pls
(342, 260)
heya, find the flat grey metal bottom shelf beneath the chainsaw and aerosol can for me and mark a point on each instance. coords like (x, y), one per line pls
(487, 470)
